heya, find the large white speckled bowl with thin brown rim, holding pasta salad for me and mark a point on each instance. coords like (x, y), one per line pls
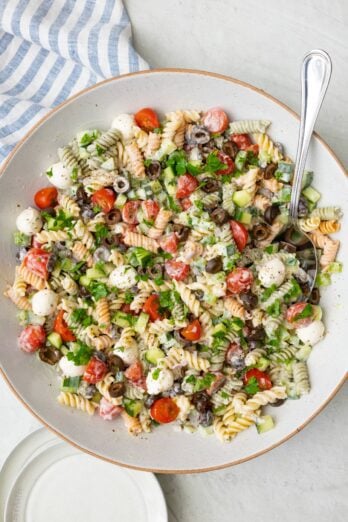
(35, 384)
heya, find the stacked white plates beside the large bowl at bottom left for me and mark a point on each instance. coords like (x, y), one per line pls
(46, 479)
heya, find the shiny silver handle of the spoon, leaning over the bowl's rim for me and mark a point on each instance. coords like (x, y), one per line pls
(315, 77)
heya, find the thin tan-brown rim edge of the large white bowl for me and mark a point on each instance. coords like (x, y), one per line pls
(10, 158)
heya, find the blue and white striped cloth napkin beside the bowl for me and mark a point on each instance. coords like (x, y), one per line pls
(50, 49)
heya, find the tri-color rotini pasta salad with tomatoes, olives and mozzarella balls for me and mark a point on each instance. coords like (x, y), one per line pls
(153, 274)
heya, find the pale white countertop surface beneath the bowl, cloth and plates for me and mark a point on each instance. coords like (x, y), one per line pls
(304, 480)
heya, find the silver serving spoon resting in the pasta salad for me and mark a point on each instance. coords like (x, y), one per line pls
(315, 77)
